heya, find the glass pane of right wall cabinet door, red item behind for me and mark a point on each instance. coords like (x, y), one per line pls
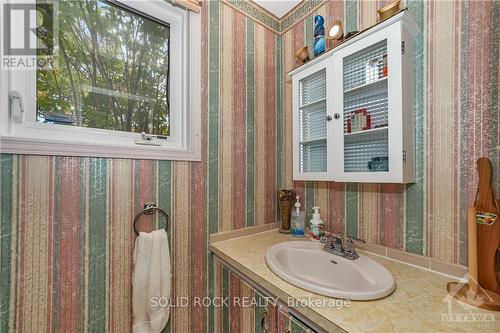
(365, 109)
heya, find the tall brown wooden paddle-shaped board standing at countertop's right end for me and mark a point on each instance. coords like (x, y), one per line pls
(488, 235)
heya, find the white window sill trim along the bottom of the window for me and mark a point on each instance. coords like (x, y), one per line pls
(28, 146)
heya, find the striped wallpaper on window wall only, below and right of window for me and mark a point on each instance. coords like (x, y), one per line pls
(66, 236)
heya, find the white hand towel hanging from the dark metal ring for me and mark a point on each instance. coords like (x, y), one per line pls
(151, 282)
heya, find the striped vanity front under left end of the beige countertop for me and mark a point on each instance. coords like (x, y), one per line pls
(241, 308)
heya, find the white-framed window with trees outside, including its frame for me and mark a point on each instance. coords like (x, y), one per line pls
(122, 80)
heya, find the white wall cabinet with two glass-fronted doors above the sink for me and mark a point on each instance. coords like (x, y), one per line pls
(353, 108)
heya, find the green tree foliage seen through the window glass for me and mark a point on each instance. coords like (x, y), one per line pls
(111, 70)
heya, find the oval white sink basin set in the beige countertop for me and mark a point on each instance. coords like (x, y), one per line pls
(308, 266)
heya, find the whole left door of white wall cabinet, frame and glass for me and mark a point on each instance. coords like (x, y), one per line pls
(312, 130)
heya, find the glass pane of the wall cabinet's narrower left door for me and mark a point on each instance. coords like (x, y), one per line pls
(311, 129)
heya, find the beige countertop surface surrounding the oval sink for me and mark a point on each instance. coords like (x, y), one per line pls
(420, 302)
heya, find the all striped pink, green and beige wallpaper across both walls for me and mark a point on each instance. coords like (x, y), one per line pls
(66, 236)
